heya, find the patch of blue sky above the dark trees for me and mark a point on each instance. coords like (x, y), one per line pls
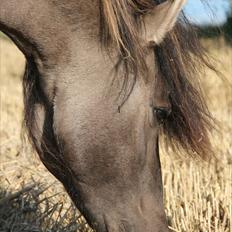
(200, 13)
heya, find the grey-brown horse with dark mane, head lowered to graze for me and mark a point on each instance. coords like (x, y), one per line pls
(103, 80)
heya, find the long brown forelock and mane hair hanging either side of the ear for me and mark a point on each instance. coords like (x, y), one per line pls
(180, 59)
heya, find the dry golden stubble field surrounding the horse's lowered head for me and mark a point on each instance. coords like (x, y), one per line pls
(198, 196)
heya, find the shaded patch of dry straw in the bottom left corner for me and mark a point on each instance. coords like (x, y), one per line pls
(31, 210)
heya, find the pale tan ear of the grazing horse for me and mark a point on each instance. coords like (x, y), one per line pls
(161, 20)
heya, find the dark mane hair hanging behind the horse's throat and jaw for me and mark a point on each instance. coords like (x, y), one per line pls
(43, 139)
